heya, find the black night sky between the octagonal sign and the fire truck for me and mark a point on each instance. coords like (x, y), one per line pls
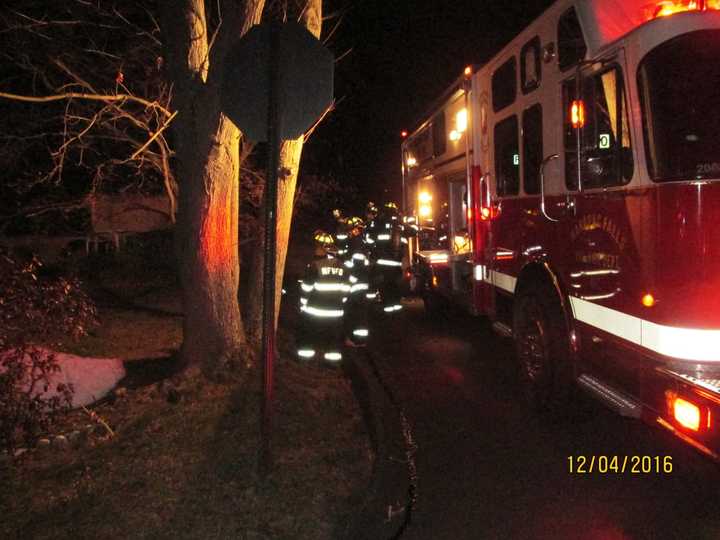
(403, 55)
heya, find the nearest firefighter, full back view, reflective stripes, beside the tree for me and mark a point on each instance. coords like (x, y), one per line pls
(324, 291)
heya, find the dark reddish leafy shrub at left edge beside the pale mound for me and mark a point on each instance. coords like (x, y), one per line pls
(34, 309)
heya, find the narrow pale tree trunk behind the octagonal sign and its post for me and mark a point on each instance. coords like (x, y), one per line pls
(289, 165)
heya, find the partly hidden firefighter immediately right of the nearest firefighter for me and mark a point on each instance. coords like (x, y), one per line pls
(358, 261)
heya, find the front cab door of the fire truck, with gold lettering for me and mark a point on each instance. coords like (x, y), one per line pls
(598, 160)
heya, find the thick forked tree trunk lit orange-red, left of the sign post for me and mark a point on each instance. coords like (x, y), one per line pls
(207, 145)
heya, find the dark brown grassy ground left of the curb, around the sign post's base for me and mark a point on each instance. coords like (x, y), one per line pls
(164, 457)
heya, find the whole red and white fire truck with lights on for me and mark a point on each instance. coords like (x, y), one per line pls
(569, 190)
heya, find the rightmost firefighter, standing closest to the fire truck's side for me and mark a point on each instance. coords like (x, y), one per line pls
(387, 256)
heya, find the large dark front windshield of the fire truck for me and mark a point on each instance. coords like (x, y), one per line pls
(680, 97)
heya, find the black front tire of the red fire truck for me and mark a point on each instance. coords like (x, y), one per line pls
(542, 349)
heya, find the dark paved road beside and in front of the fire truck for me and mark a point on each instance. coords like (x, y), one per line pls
(487, 467)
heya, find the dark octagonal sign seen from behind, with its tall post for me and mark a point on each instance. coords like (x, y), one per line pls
(278, 80)
